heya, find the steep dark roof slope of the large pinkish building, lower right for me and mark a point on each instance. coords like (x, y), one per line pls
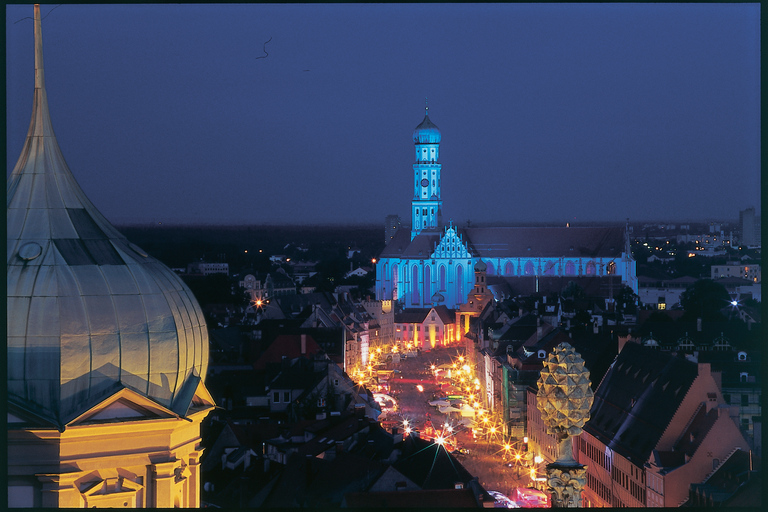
(638, 398)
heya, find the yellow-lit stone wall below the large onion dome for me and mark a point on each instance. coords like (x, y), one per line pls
(133, 464)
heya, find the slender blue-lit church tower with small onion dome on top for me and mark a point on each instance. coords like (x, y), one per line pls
(426, 206)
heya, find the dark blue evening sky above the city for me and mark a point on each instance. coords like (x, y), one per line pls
(548, 112)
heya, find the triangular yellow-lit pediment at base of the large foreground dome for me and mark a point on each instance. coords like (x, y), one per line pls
(124, 405)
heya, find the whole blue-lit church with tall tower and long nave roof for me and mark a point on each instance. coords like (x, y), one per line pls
(435, 264)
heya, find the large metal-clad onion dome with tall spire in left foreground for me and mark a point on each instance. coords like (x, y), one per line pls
(89, 313)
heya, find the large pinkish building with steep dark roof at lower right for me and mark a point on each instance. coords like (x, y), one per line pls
(658, 425)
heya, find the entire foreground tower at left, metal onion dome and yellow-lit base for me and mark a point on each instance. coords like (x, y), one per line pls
(107, 348)
